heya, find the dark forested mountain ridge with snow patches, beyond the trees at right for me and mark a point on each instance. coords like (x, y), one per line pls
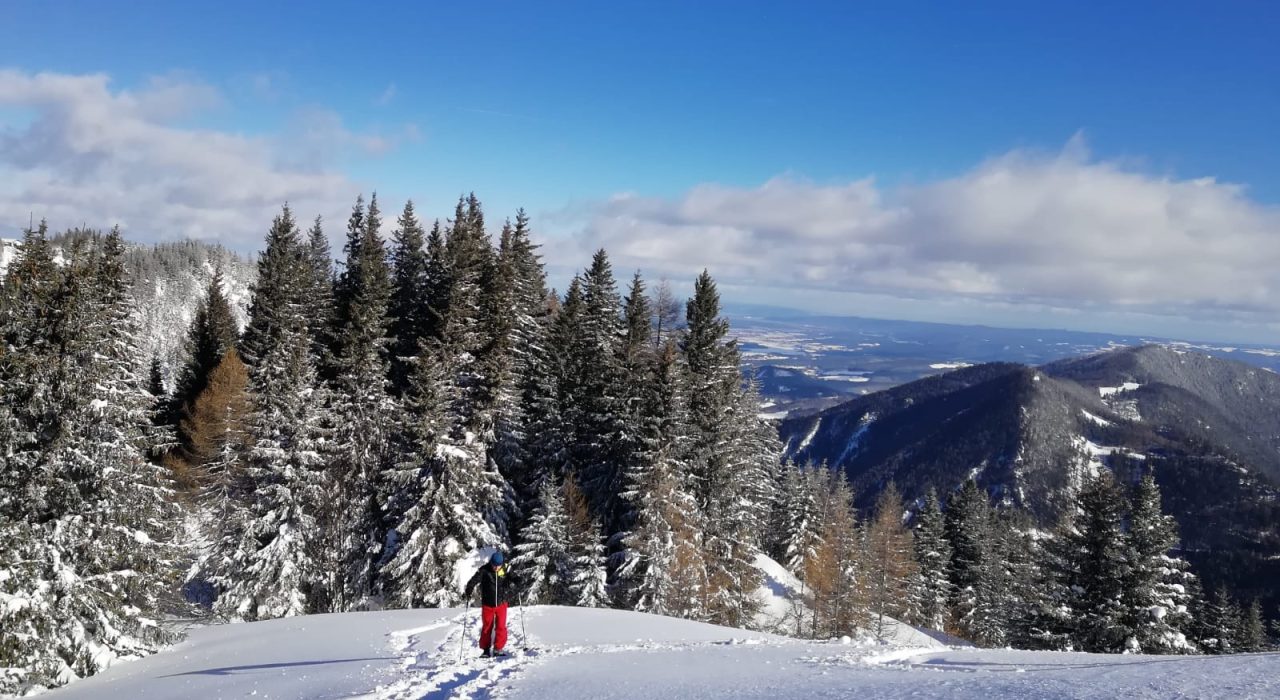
(1208, 428)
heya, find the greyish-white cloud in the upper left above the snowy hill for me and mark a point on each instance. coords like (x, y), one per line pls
(83, 152)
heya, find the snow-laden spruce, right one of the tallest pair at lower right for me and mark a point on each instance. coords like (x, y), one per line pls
(1155, 594)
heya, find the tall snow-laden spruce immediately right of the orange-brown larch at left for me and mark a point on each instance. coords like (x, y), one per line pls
(267, 570)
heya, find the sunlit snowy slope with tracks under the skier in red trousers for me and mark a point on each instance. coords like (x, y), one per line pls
(592, 653)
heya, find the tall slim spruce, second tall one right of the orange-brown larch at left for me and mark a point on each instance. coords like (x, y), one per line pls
(351, 518)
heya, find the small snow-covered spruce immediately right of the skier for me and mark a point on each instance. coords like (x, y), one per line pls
(543, 562)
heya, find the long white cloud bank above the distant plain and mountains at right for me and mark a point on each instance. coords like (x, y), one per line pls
(1048, 230)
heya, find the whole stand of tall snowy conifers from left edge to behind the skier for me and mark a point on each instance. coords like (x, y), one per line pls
(377, 423)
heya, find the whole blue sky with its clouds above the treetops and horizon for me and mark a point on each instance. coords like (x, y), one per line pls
(620, 122)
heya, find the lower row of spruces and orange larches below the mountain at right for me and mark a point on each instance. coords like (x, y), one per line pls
(1105, 580)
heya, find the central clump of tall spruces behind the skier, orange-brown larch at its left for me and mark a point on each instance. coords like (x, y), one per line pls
(374, 428)
